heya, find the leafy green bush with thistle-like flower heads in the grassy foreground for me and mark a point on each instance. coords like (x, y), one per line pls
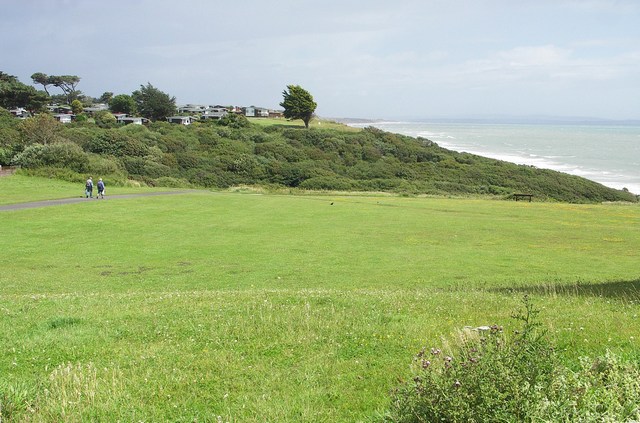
(487, 376)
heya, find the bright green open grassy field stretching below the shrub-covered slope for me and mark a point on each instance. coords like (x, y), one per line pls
(237, 307)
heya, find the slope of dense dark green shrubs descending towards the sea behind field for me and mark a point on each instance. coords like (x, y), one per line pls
(235, 152)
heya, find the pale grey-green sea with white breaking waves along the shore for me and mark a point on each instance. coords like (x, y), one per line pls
(605, 153)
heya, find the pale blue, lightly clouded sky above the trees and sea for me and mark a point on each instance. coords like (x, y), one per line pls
(373, 59)
